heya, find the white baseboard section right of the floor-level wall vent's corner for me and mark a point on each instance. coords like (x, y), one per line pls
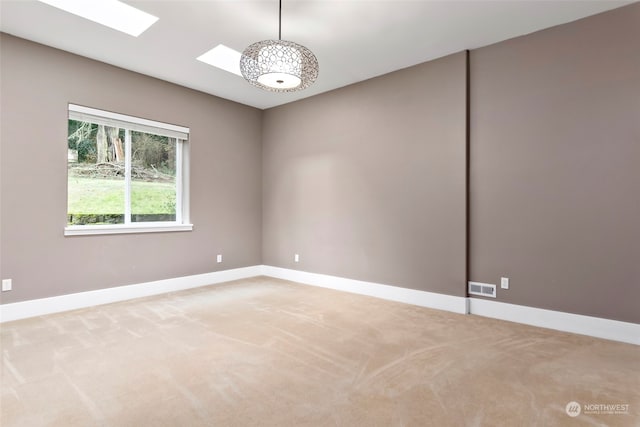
(558, 320)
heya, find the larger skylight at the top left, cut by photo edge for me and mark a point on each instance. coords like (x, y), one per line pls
(111, 13)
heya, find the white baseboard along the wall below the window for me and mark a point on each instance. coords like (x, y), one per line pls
(39, 307)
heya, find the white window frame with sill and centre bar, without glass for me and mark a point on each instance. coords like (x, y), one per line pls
(129, 123)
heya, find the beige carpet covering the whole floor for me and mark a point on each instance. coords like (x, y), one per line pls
(265, 352)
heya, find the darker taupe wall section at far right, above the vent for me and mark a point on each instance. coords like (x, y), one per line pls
(555, 161)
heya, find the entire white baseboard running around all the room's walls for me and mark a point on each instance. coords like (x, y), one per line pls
(567, 322)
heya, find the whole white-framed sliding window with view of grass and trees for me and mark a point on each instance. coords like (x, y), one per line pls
(125, 174)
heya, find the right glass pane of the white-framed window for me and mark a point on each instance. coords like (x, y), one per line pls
(153, 177)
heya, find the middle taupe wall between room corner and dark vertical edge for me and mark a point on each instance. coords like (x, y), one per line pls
(368, 181)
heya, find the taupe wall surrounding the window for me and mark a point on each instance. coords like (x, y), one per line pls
(37, 83)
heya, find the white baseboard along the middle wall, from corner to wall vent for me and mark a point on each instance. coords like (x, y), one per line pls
(392, 293)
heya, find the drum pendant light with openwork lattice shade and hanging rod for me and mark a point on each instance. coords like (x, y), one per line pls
(279, 65)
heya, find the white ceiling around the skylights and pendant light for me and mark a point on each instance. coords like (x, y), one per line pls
(353, 40)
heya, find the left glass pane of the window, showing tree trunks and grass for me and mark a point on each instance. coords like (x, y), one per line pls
(95, 166)
